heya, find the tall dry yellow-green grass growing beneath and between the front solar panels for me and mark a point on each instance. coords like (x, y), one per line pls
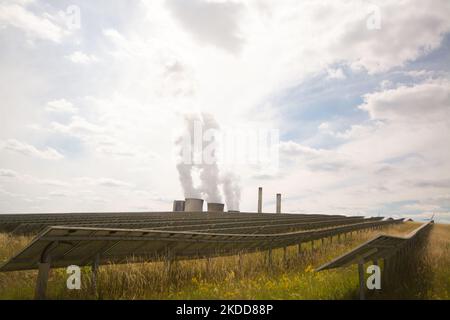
(245, 277)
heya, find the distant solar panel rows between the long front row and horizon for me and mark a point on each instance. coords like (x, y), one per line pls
(205, 222)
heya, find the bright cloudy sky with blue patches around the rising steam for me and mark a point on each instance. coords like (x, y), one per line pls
(92, 94)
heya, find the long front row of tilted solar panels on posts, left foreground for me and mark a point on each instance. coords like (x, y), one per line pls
(80, 245)
